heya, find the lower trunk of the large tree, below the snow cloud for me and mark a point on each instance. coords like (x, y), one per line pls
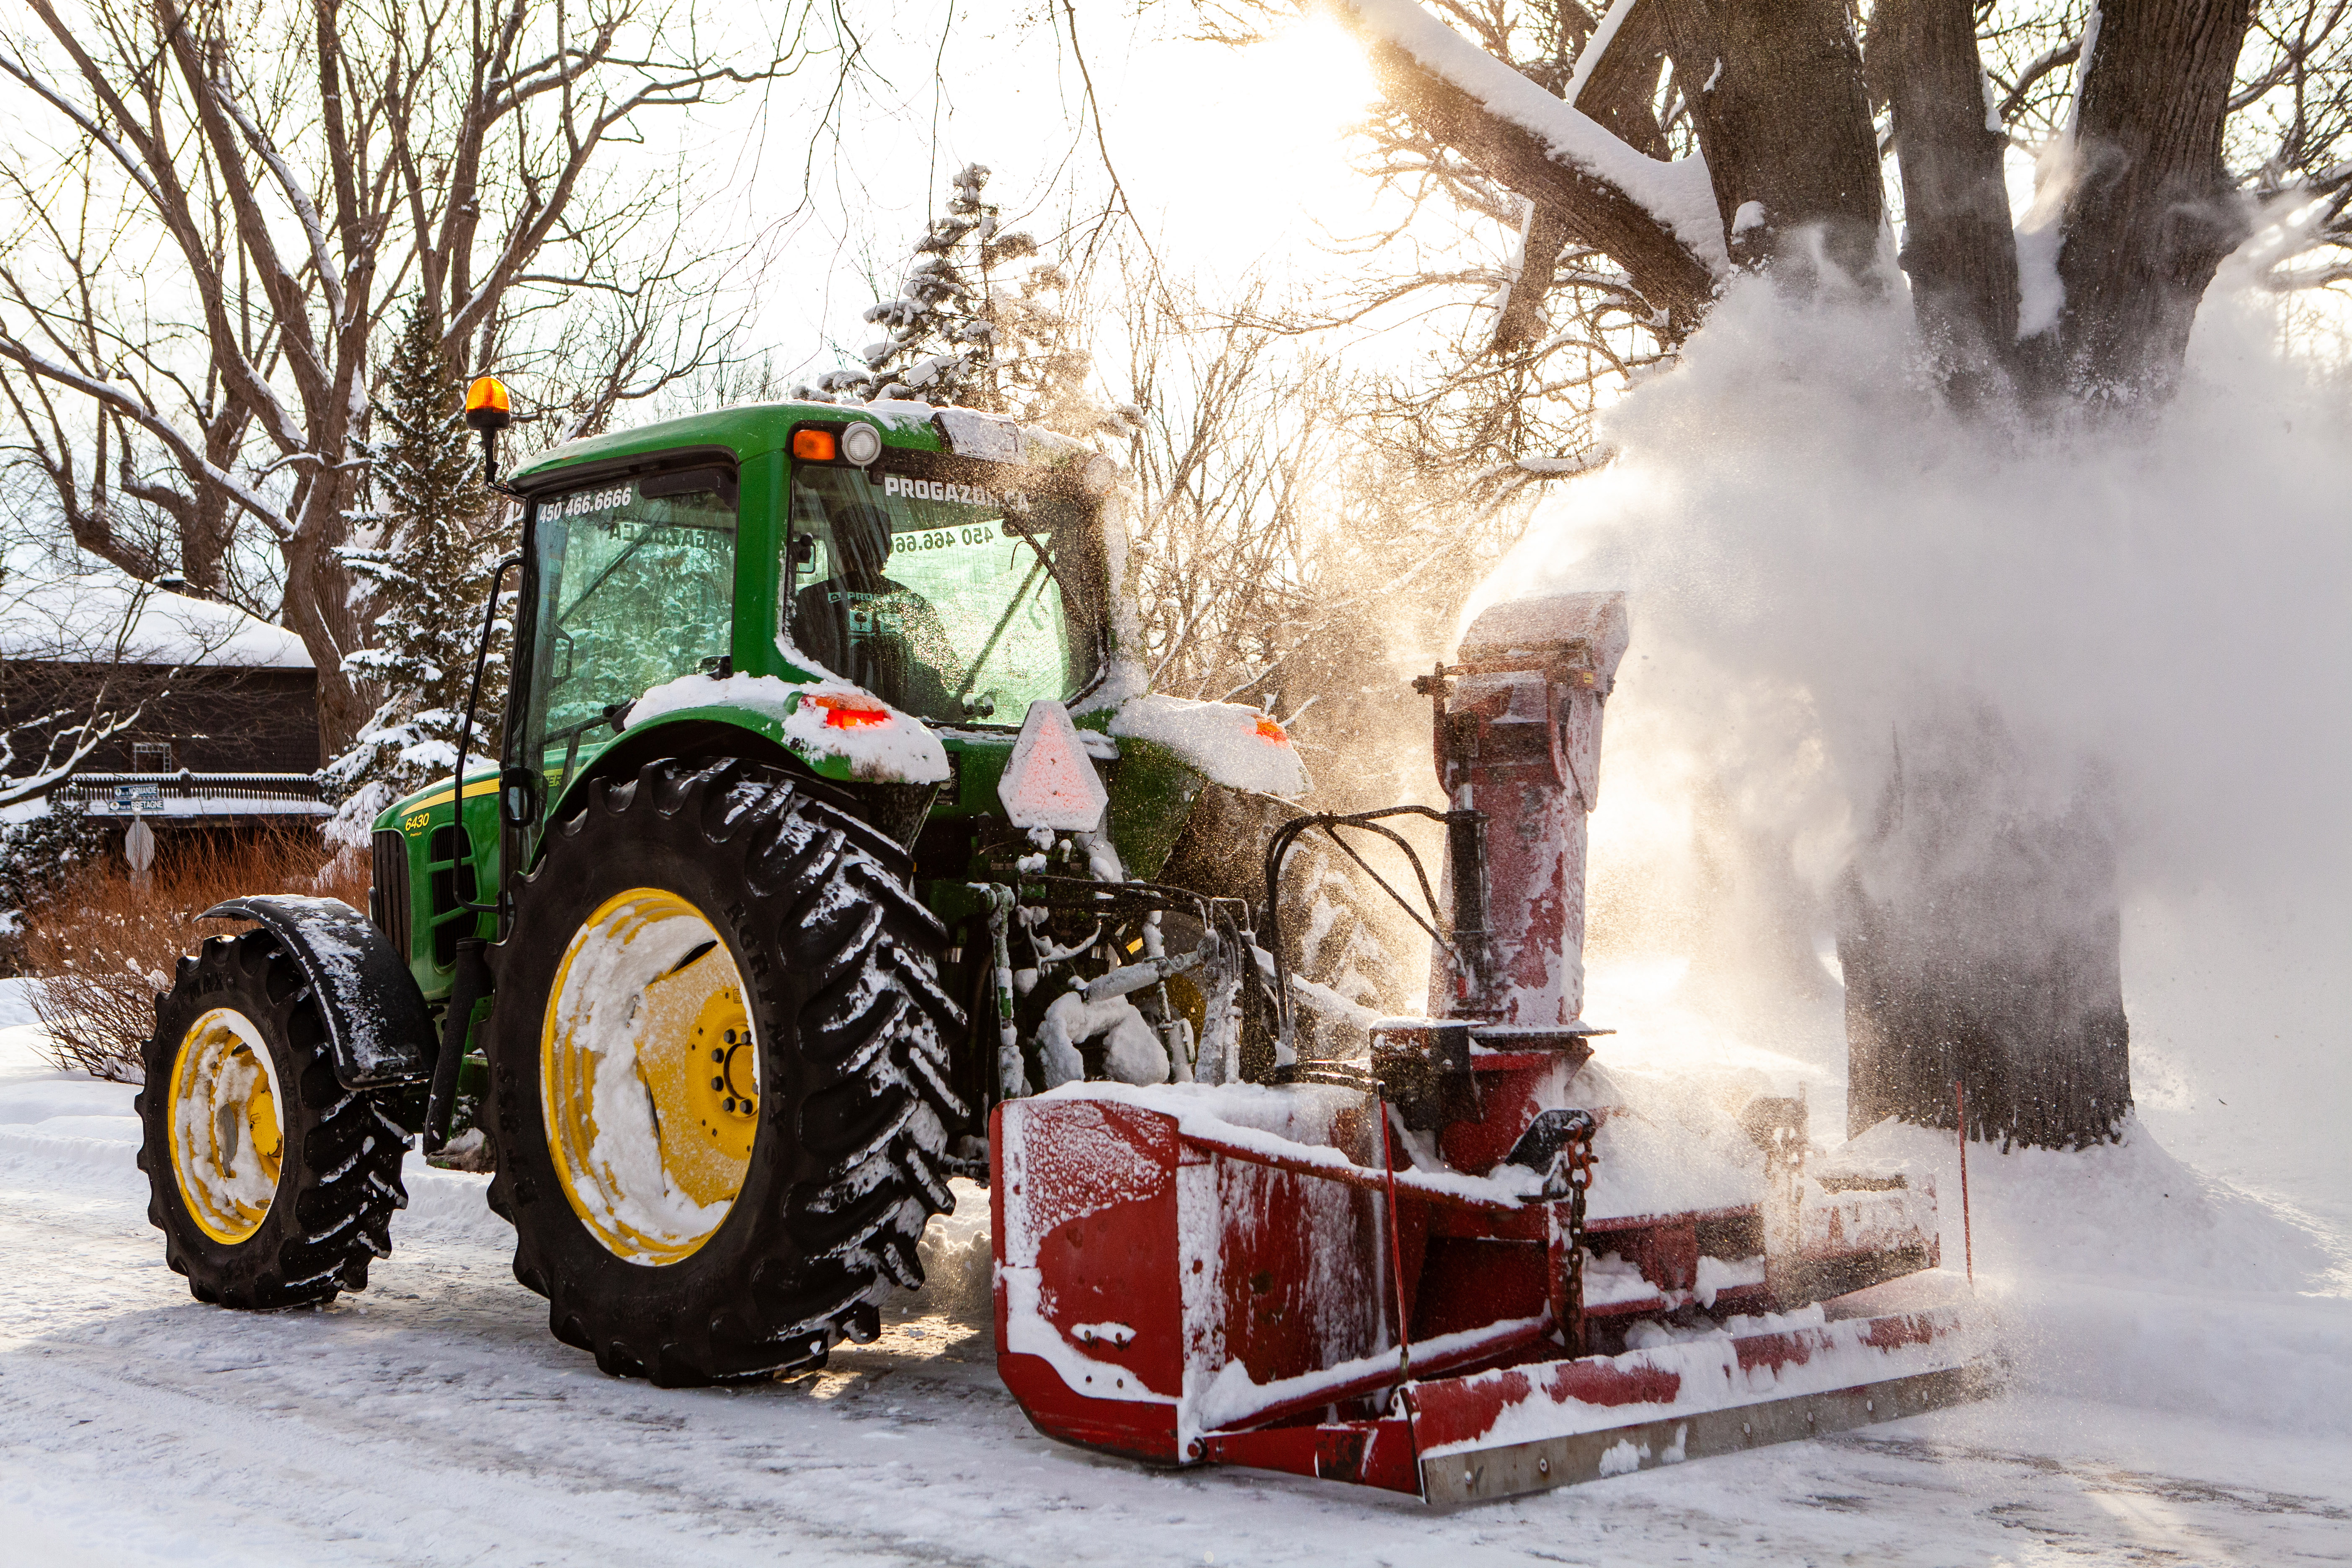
(1984, 949)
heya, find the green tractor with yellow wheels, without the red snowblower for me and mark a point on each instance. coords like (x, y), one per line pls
(829, 812)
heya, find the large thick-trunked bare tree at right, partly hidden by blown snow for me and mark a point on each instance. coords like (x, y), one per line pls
(1650, 149)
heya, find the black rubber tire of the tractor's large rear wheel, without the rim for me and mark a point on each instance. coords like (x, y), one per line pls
(827, 911)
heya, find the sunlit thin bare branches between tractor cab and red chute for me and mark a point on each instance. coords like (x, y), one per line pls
(1288, 547)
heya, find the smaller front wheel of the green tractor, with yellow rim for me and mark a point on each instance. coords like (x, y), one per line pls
(272, 1184)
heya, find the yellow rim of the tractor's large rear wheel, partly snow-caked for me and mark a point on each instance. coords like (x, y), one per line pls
(648, 1078)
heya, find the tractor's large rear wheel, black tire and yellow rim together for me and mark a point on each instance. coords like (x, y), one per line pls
(742, 1217)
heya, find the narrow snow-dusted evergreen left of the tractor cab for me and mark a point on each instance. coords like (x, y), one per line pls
(429, 568)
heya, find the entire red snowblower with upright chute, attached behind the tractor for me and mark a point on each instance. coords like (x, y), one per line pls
(1462, 1264)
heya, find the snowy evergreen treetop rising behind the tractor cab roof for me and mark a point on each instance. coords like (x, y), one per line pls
(968, 333)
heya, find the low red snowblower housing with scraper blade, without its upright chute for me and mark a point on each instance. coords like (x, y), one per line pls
(1205, 1275)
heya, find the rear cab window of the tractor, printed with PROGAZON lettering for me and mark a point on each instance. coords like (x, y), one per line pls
(949, 598)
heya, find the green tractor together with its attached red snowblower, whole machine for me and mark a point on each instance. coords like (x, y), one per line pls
(836, 850)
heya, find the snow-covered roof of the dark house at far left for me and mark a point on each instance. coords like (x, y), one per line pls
(107, 617)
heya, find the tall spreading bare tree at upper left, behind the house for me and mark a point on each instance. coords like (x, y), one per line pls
(201, 257)
